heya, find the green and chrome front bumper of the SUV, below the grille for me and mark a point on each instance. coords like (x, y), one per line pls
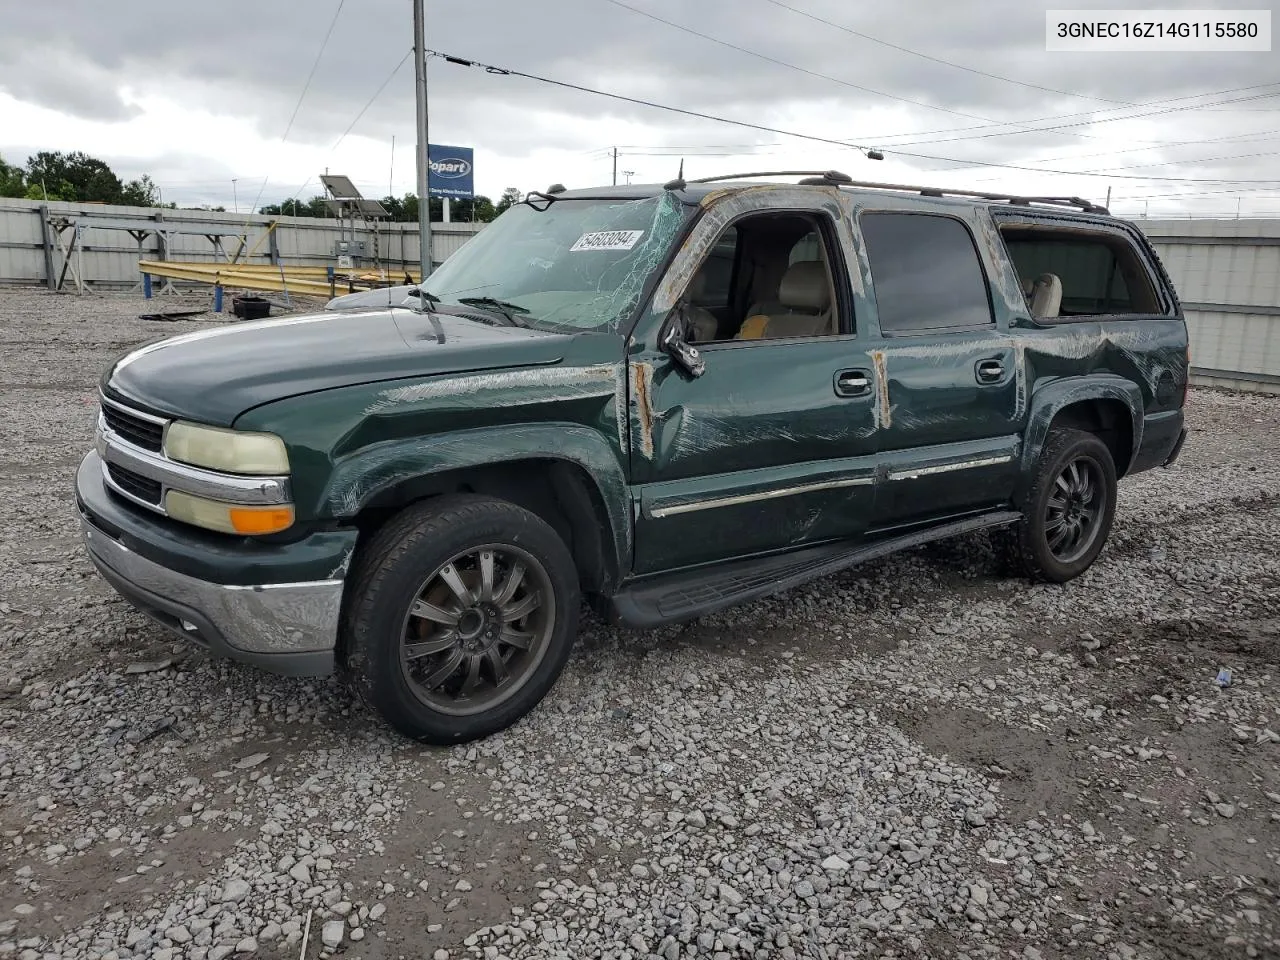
(287, 628)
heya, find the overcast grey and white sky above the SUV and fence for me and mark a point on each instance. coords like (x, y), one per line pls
(202, 95)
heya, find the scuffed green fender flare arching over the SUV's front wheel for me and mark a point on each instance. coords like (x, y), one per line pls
(360, 477)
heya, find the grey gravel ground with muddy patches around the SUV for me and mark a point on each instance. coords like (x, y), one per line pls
(915, 760)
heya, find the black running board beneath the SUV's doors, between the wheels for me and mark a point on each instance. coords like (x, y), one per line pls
(670, 598)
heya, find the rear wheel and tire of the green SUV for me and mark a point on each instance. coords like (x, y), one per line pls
(1068, 511)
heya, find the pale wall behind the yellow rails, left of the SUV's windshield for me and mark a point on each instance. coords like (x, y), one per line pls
(111, 257)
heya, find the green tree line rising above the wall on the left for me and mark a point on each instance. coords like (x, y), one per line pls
(79, 177)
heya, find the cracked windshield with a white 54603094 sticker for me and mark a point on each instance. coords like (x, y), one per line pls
(574, 266)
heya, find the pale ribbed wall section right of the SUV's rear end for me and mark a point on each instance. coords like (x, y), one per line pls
(1228, 278)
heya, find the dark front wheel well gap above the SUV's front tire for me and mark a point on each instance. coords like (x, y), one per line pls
(561, 493)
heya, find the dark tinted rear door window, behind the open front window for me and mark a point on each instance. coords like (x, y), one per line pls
(926, 273)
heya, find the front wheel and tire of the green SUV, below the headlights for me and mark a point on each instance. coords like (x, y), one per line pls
(461, 616)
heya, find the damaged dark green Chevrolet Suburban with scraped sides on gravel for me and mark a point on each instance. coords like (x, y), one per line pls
(664, 400)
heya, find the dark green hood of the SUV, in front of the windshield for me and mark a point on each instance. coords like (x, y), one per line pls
(213, 377)
